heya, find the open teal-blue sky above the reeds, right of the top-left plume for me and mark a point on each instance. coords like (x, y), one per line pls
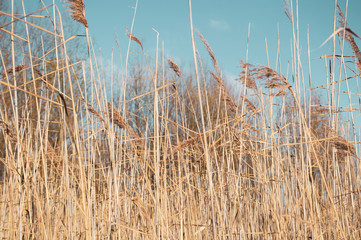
(225, 26)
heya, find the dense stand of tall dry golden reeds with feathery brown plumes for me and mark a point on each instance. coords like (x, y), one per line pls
(177, 155)
